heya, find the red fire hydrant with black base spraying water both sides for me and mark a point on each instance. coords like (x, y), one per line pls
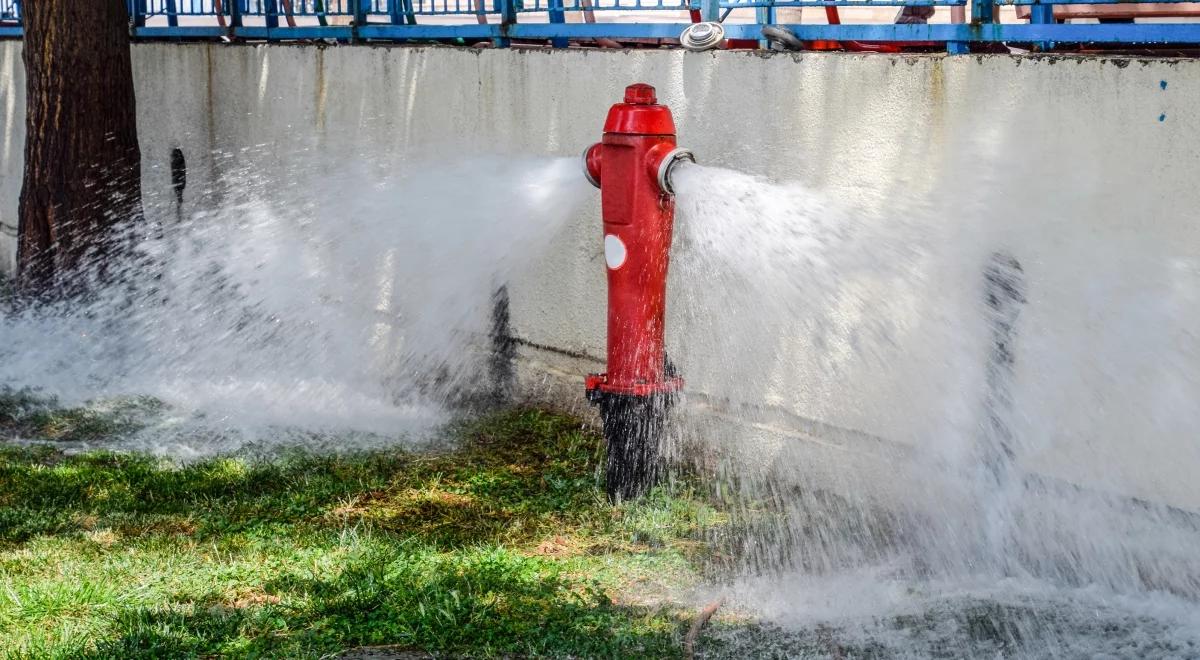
(633, 166)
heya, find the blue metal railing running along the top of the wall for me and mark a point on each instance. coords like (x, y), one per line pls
(547, 21)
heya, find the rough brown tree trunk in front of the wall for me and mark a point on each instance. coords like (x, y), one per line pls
(82, 161)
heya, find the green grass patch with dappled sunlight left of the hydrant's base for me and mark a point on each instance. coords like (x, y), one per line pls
(502, 547)
